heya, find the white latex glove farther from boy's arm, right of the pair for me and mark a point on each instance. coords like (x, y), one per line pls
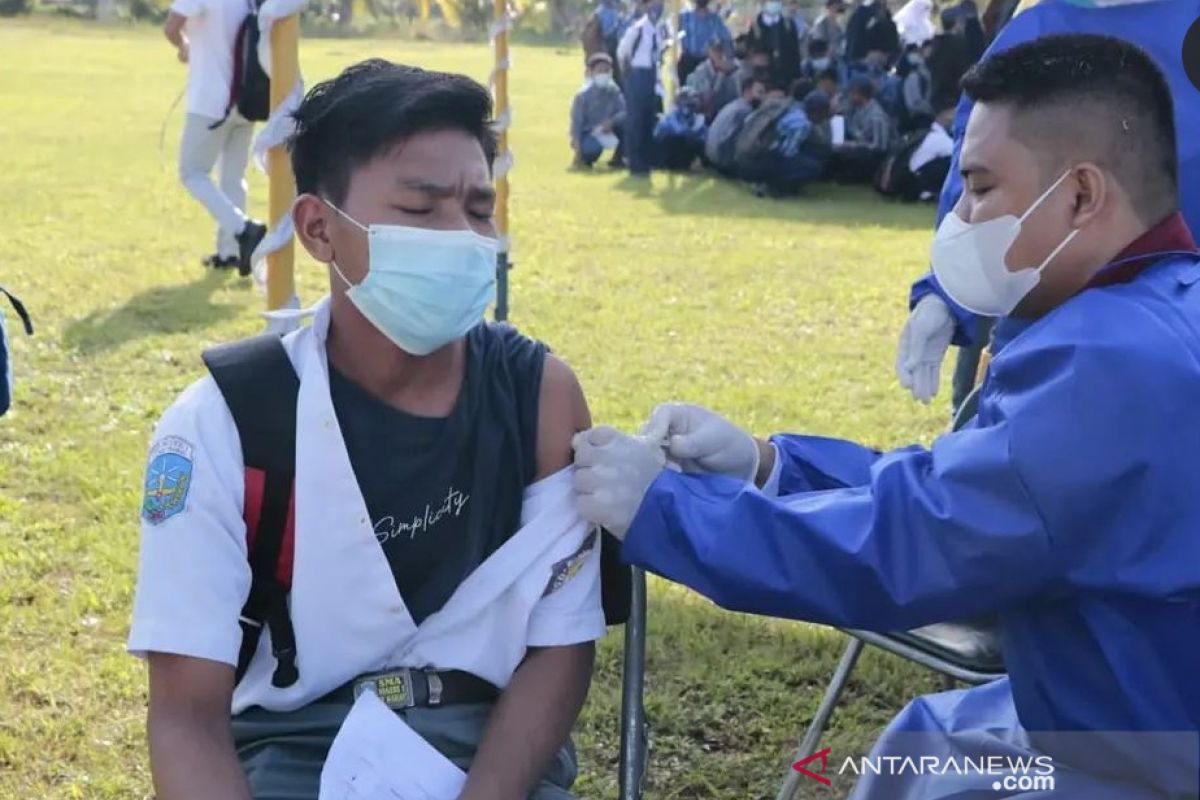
(703, 442)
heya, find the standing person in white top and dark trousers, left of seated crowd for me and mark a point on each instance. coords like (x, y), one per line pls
(640, 55)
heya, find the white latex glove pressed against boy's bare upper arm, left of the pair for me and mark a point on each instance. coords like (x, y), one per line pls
(613, 473)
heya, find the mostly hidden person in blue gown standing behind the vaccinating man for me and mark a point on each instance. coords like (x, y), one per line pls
(1159, 27)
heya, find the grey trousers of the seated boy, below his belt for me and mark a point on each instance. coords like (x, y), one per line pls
(284, 753)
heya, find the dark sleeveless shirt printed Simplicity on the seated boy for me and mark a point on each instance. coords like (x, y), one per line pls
(445, 494)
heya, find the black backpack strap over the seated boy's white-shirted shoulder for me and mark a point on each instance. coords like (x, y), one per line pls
(261, 388)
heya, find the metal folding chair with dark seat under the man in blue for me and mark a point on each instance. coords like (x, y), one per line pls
(964, 652)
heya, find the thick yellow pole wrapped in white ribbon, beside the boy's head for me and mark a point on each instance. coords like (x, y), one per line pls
(285, 74)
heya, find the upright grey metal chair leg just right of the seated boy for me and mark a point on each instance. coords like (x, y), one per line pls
(633, 709)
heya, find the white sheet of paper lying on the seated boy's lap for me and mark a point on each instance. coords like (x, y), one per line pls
(376, 756)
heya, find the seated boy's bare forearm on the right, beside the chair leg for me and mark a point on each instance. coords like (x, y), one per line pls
(531, 723)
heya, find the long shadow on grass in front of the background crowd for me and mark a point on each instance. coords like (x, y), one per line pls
(703, 194)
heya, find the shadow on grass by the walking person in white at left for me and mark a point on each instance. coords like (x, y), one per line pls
(163, 310)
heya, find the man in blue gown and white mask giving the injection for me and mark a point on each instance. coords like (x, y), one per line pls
(1069, 507)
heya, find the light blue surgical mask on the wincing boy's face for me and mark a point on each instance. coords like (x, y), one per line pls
(424, 288)
